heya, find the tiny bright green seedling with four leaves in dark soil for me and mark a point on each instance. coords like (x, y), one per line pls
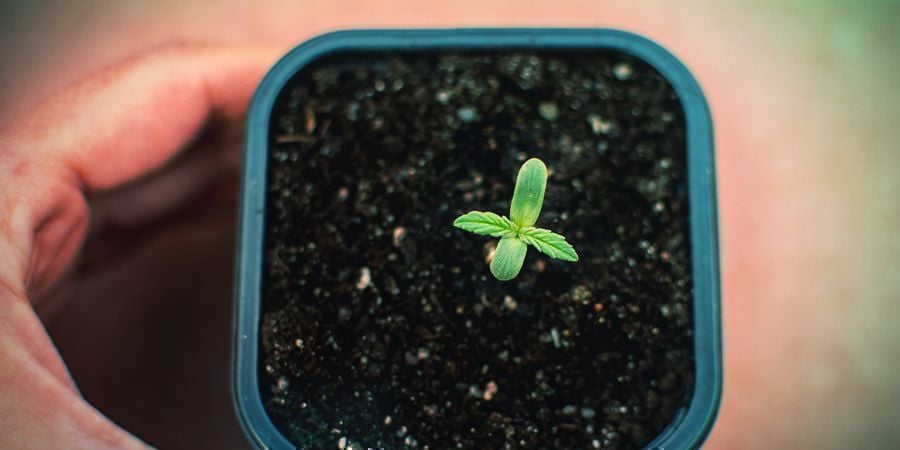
(518, 230)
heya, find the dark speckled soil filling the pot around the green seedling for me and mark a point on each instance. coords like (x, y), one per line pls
(383, 326)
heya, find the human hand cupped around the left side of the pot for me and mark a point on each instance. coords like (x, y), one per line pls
(97, 172)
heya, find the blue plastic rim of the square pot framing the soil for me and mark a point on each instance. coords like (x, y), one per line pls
(690, 426)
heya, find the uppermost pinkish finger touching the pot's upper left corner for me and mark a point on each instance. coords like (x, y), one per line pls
(129, 119)
